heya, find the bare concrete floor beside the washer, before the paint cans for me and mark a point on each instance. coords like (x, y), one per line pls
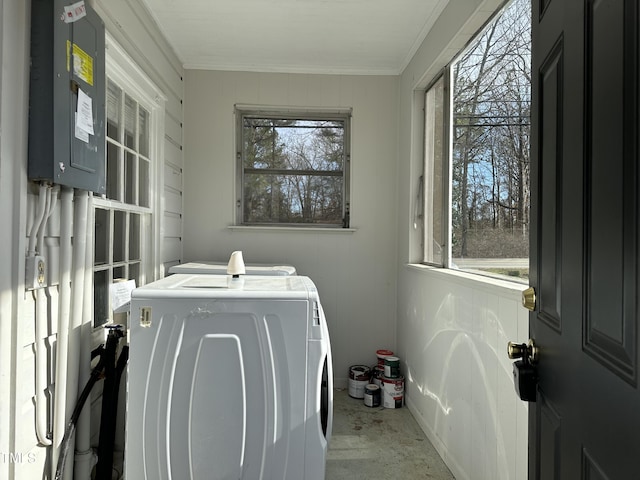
(379, 444)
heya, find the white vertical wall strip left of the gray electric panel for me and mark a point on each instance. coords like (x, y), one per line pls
(16, 376)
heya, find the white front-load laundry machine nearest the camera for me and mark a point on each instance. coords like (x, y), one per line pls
(228, 383)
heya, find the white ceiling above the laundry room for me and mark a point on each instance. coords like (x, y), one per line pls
(310, 36)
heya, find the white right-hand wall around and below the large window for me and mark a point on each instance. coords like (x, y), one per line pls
(452, 327)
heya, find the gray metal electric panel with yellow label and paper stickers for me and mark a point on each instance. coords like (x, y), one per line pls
(67, 95)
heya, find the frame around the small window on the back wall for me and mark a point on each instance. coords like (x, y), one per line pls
(290, 113)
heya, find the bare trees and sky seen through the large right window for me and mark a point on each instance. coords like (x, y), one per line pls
(490, 146)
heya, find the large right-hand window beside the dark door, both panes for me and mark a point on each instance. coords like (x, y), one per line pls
(488, 151)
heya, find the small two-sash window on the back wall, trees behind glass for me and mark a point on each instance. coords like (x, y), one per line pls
(293, 169)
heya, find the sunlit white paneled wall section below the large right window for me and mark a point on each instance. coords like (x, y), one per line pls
(453, 338)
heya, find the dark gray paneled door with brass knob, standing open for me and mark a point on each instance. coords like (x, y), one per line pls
(584, 265)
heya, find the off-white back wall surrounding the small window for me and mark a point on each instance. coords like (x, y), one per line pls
(354, 271)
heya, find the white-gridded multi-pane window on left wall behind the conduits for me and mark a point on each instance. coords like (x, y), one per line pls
(122, 218)
